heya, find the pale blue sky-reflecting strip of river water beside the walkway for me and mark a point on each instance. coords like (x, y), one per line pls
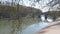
(34, 28)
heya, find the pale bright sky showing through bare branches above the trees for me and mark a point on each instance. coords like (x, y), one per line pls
(41, 4)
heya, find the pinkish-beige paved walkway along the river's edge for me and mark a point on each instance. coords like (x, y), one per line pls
(53, 28)
